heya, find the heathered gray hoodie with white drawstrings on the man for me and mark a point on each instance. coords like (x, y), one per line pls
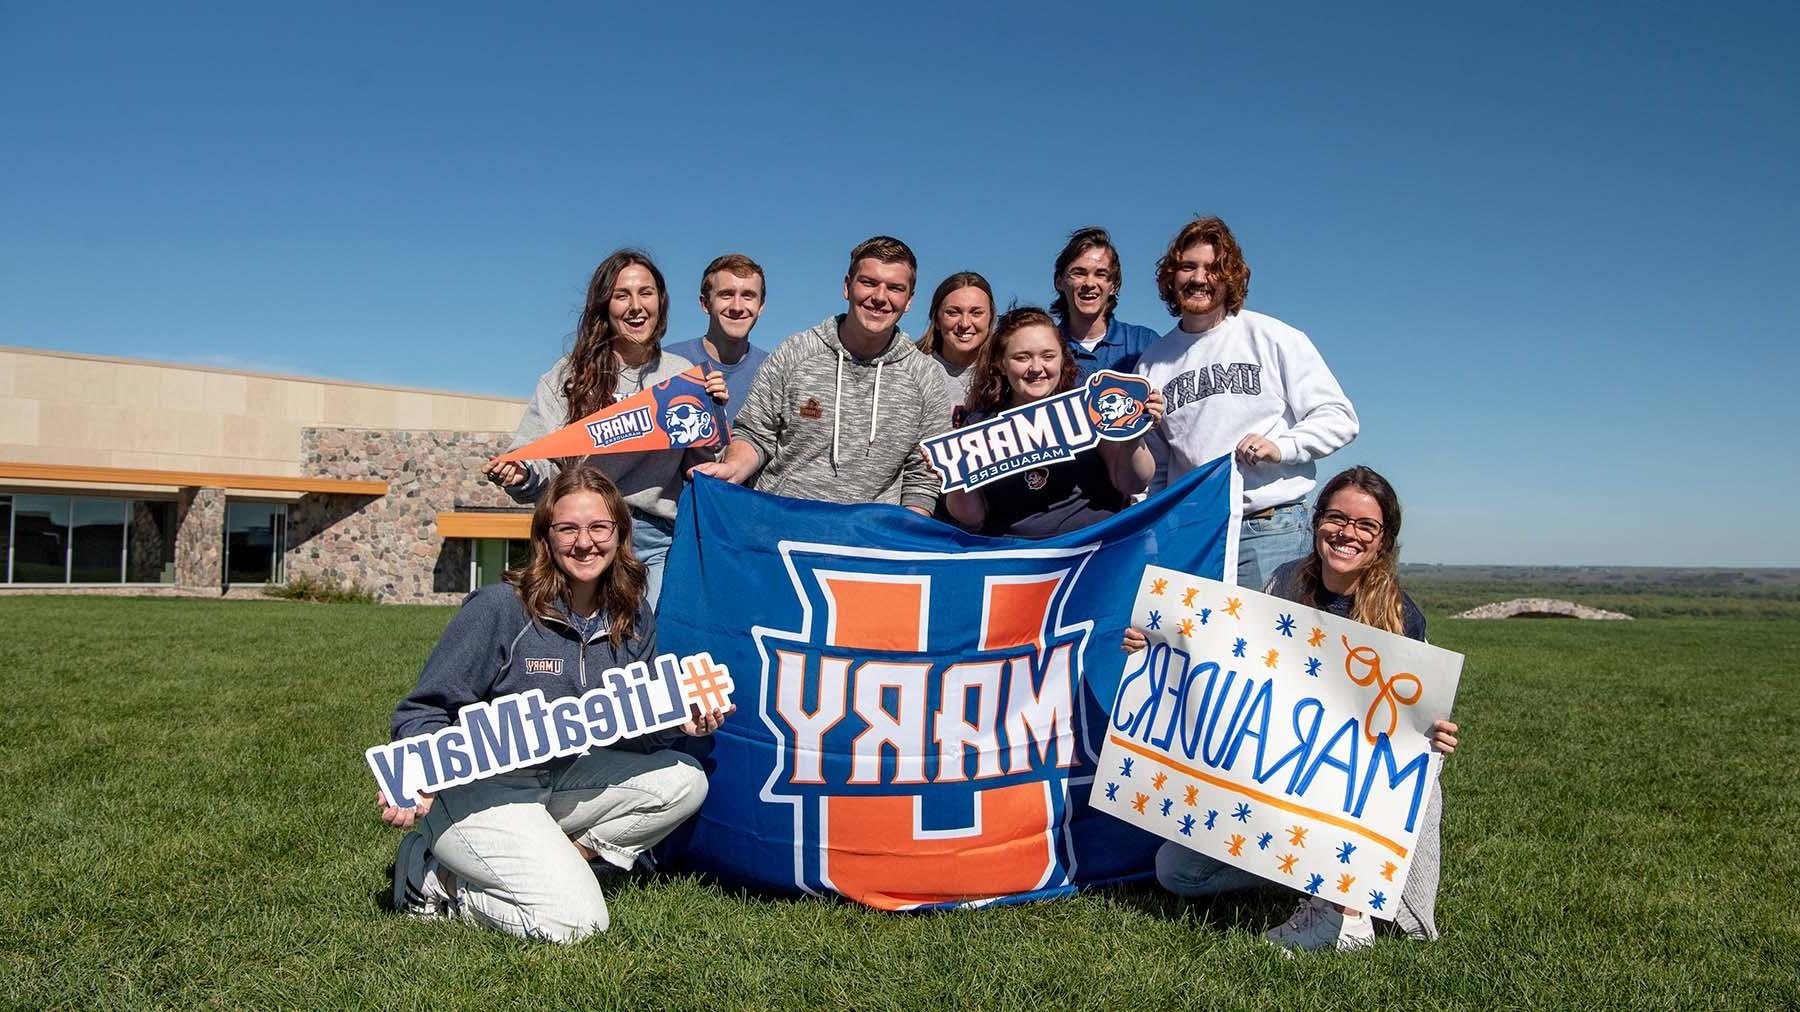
(843, 429)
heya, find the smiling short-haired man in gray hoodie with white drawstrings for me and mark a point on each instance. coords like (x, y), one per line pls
(838, 410)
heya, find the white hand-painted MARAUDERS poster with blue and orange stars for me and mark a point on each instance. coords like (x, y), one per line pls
(1275, 737)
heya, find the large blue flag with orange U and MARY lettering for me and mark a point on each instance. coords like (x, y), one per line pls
(919, 709)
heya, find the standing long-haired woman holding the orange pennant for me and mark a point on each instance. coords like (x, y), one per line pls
(618, 352)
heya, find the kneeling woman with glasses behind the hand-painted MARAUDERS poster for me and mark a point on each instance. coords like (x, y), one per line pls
(1353, 572)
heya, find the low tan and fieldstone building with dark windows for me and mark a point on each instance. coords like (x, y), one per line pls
(156, 478)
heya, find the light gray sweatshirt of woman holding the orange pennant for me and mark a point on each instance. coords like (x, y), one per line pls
(651, 482)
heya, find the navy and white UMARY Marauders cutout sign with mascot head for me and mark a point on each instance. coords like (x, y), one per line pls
(1110, 406)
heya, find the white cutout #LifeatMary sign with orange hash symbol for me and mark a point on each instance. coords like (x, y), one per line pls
(525, 728)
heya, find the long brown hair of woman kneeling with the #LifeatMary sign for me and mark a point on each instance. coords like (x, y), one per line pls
(541, 583)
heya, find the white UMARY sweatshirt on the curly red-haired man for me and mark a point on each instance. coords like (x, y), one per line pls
(1248, 375)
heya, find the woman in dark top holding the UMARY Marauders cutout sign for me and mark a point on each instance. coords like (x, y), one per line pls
(1027, 361)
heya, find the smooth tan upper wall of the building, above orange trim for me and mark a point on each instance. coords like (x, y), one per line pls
(82, 410)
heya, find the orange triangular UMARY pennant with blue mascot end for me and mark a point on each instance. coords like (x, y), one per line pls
(672, 415)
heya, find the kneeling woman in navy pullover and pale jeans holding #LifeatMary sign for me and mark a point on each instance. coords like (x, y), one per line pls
(514, 851)
